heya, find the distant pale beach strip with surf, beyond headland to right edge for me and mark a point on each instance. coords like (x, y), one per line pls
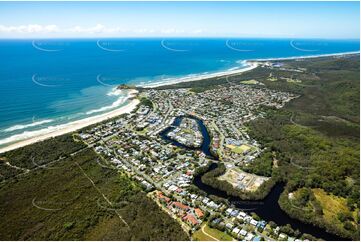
(251, 64)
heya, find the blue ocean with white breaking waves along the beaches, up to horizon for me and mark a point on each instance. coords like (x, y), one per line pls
(46, 83)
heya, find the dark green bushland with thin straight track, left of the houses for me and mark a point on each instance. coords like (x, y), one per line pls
(59, 202)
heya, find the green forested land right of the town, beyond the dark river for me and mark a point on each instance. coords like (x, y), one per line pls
(316, 141)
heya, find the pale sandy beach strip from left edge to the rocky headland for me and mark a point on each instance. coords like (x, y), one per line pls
(73, 126)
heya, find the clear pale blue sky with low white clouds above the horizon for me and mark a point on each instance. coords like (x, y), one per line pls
(331, 20)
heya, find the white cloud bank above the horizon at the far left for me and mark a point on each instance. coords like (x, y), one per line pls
(30, 28)
